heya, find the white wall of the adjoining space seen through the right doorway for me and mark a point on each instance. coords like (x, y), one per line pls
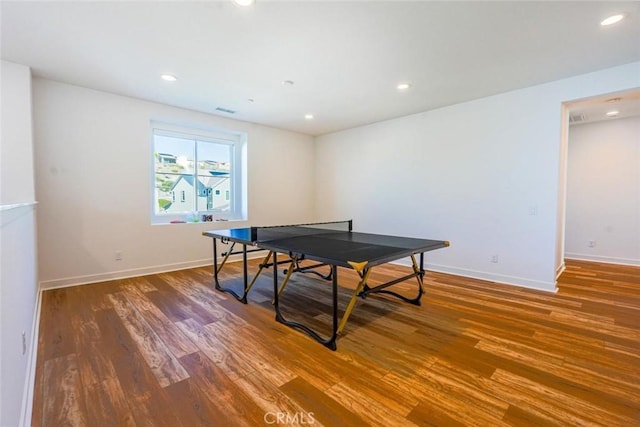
(603, 191)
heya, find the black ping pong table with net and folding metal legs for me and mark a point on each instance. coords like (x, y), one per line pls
(332, 244)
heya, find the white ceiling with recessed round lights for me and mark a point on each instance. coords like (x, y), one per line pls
(345, 58)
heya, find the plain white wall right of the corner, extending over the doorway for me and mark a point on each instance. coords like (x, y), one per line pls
(483, 174)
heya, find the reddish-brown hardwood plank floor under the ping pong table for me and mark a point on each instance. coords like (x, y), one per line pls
(167, 350)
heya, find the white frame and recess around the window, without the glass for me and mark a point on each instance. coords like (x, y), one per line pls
(236, 140)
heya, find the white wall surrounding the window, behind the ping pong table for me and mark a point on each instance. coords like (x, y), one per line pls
(94, 181)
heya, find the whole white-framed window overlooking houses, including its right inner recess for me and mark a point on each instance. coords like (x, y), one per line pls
(192, 167)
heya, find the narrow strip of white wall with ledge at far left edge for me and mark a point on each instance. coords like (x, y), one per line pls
(18, 278)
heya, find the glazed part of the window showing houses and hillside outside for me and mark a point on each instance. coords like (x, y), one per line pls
(192, 174)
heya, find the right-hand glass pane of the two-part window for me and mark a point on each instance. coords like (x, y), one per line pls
(214, 176)
